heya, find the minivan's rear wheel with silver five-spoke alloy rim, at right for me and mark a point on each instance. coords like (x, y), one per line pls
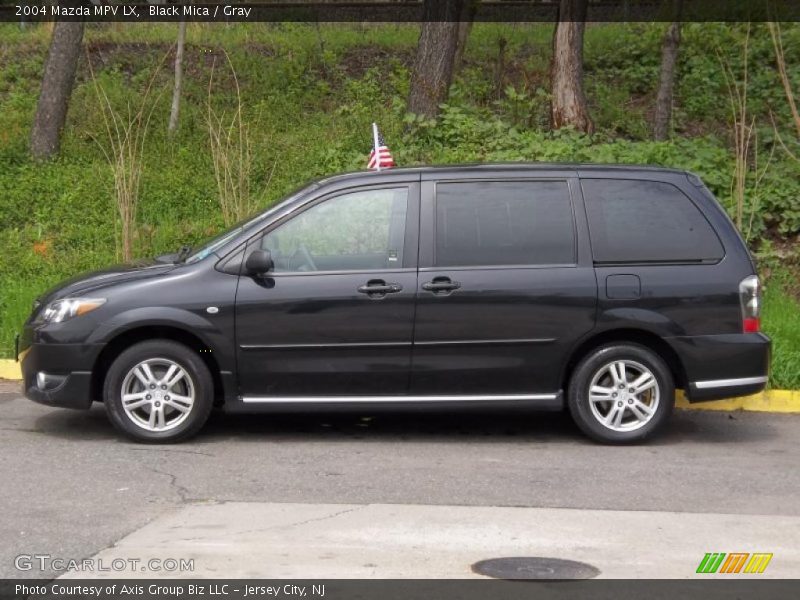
(621, 393)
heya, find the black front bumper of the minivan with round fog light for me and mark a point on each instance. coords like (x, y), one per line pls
(59, 374)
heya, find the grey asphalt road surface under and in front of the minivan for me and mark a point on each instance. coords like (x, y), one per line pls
(72, 487)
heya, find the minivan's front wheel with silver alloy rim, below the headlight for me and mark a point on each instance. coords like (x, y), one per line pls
(158, 392)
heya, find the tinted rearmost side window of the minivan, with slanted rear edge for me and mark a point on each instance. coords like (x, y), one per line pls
(646, 221)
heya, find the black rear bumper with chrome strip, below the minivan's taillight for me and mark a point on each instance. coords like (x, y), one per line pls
(723, 366)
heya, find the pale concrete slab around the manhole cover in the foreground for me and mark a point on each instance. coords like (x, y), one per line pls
(329, 541)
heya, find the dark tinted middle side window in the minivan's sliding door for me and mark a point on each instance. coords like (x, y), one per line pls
(504, 223)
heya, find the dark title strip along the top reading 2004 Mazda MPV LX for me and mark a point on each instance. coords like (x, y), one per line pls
(398, 11)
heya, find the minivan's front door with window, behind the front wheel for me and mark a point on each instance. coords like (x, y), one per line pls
(335, 316)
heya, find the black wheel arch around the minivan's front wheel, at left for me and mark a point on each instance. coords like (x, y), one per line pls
(125, 339)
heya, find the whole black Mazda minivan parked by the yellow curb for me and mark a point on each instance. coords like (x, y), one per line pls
(600, 287)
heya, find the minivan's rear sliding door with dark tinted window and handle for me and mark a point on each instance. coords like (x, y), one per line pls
(502, 294)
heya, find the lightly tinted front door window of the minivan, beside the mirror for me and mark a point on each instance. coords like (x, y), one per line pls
(358, 231)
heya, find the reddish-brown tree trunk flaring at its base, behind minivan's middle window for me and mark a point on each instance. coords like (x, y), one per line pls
(566, 73)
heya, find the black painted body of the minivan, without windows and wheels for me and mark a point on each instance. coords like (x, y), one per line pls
(506, 330)
